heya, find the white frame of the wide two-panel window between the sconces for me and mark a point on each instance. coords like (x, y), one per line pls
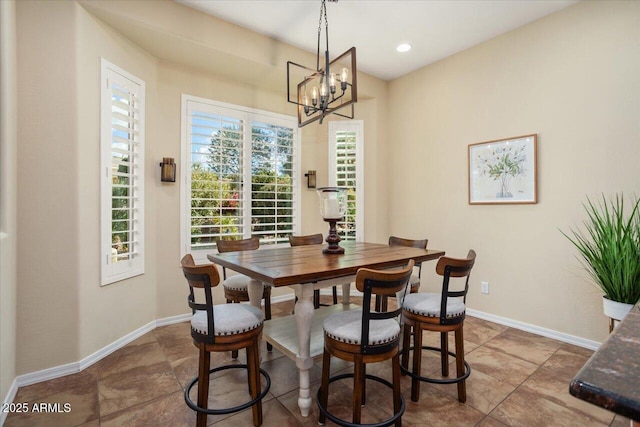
(248, 116)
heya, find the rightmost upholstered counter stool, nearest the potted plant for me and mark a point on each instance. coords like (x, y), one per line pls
(444, 313)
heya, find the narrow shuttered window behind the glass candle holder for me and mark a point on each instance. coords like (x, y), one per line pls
(346, 170)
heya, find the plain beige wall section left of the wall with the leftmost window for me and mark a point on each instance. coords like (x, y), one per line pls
(48, 200)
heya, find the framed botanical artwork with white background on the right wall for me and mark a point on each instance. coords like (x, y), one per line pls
(503, 171)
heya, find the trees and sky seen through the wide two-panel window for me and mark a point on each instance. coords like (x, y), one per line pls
(216, 187)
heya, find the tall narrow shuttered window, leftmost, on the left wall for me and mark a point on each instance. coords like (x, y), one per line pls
(122, 174)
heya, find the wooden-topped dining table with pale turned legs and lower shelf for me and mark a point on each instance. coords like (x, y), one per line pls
(306, 268)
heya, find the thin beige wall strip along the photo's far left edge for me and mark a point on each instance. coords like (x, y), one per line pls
(8, 187)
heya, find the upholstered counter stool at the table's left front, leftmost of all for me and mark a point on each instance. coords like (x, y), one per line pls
(219, 328)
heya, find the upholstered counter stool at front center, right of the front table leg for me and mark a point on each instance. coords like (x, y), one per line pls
(365, 336)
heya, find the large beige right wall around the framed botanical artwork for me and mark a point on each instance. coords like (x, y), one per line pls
(572, 78)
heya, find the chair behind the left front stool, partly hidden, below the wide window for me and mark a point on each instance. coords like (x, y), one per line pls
(236, 287)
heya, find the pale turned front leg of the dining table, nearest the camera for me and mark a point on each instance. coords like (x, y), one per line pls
(304, 361)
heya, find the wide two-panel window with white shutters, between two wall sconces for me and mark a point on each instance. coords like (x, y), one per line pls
(225, 147)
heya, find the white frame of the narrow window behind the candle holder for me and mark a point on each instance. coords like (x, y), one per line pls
(356, 126)
